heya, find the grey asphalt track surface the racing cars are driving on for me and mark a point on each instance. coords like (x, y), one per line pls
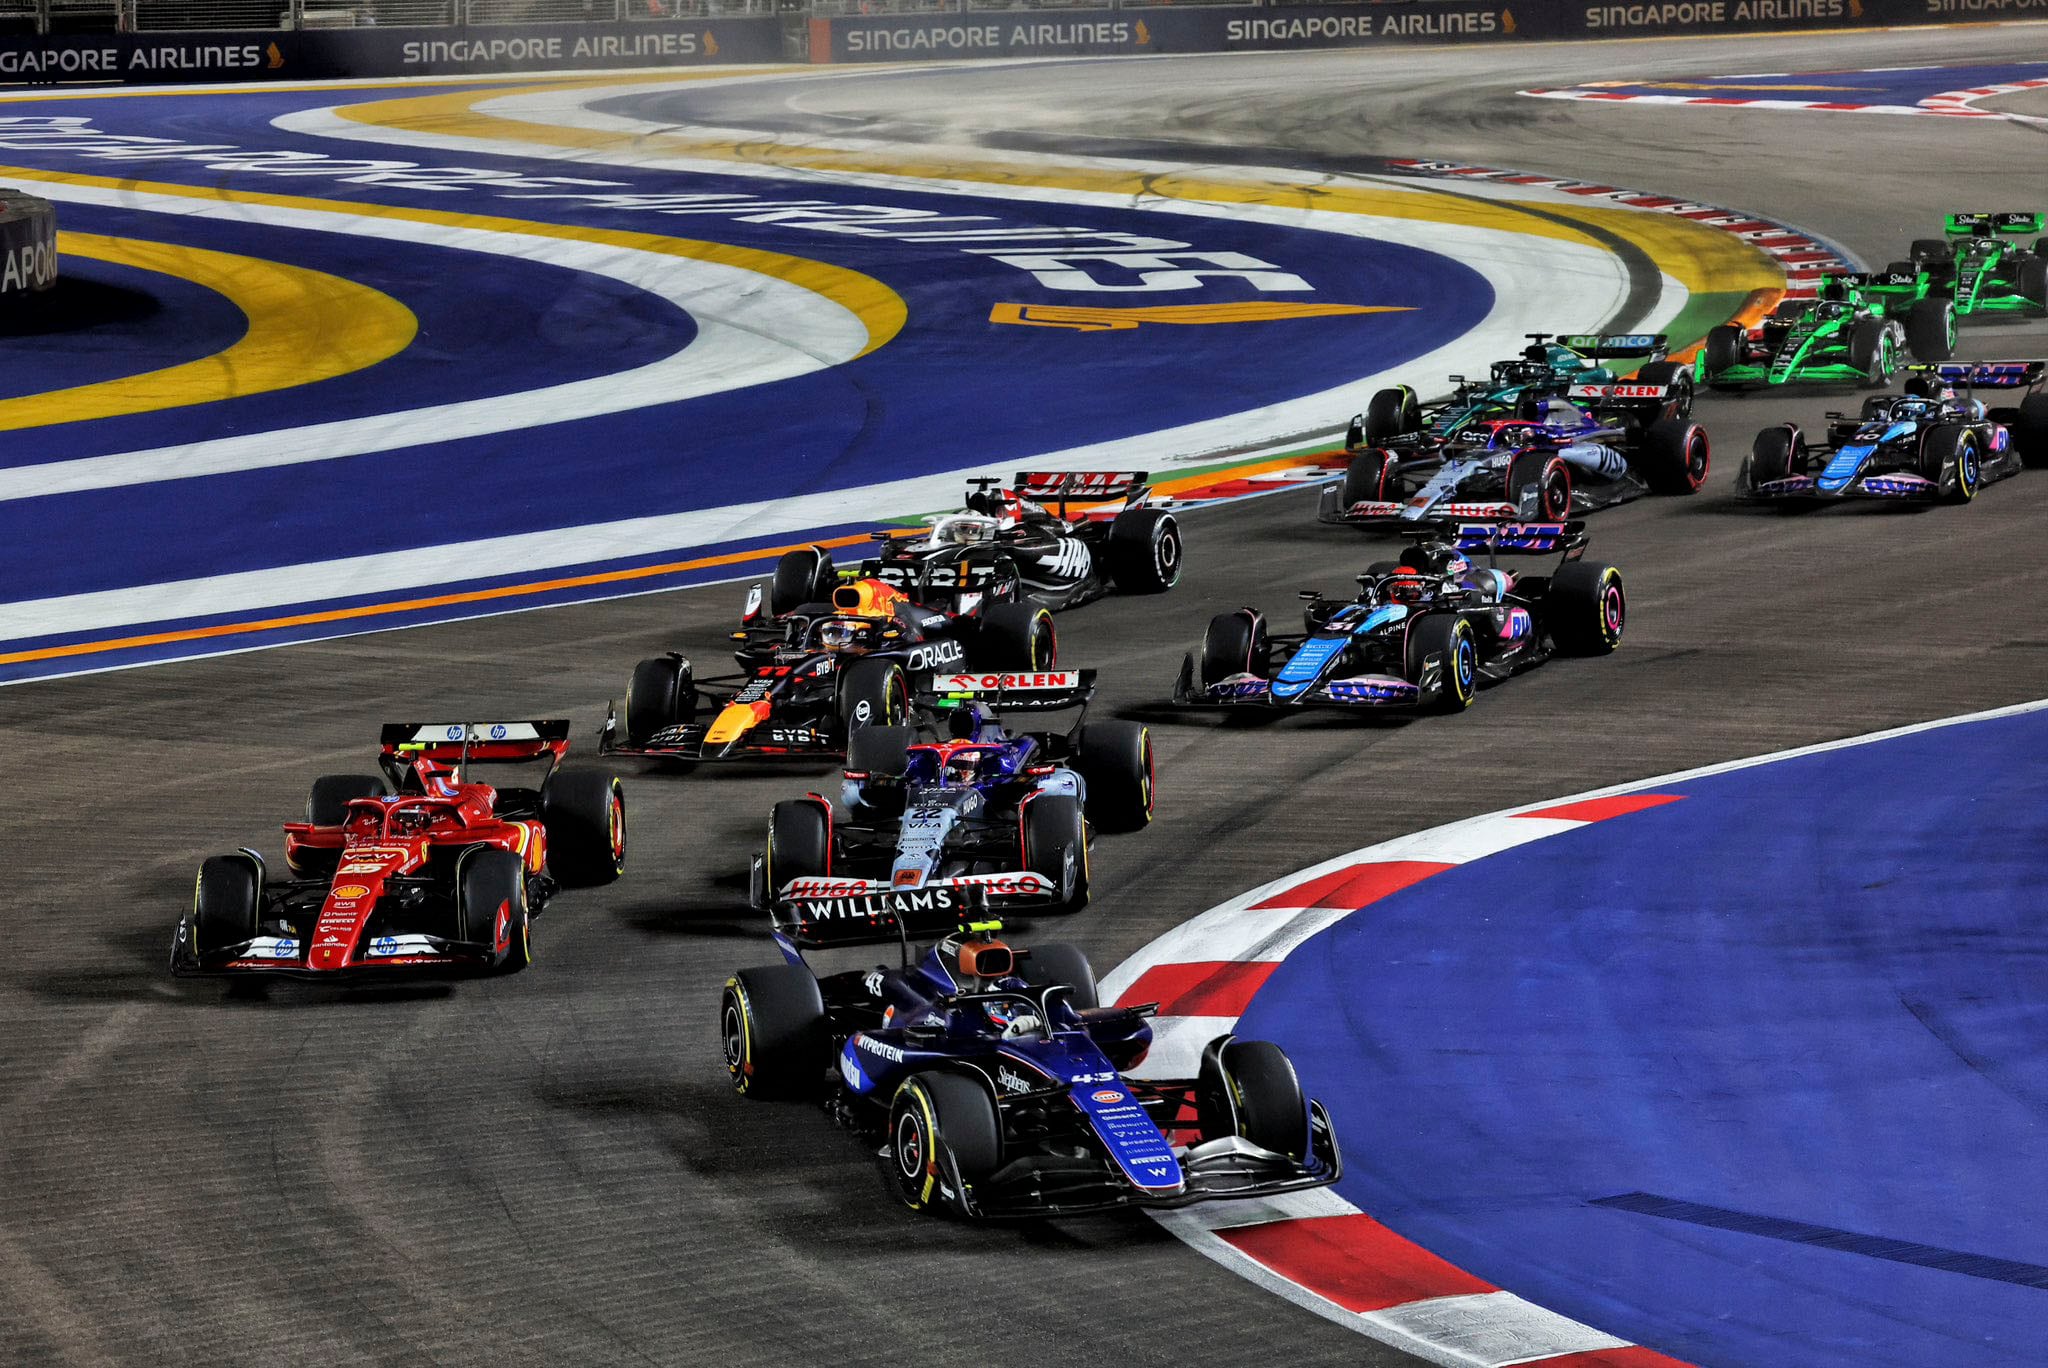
(552, 1168)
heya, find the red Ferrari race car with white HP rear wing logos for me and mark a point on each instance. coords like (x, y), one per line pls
(419, 869)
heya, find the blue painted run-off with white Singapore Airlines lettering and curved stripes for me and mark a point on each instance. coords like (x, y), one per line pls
(953, 390)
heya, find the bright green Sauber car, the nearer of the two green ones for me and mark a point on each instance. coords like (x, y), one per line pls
(1842, 337)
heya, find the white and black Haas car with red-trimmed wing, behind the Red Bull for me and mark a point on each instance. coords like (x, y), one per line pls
(1101, 536)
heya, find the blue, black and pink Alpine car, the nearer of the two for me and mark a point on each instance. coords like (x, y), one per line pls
(1422, 634)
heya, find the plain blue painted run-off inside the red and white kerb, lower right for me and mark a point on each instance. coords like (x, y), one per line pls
(1789, 1029)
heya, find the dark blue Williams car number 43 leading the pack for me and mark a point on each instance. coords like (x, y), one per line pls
(992, 1080)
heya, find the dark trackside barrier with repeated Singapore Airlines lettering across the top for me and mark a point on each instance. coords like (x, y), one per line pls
(374, 52)
